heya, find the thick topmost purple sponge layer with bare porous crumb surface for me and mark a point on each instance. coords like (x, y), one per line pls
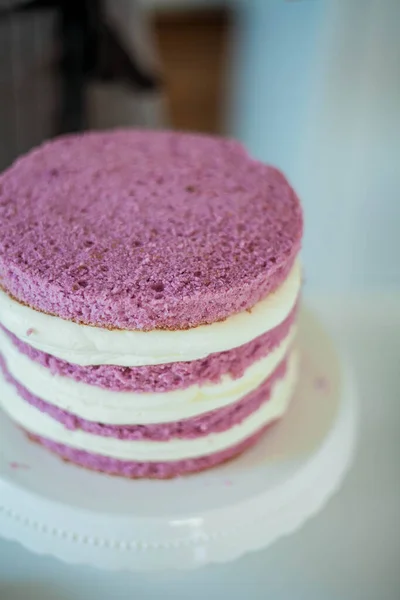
(140, 230)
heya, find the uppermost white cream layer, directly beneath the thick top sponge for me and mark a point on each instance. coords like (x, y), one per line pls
(85, 345)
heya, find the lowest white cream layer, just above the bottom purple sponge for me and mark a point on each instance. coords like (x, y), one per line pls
(40, 424)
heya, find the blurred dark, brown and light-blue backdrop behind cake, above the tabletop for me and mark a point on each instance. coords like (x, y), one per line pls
(311, 86)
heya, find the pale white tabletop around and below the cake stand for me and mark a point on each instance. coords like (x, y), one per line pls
(351, 550)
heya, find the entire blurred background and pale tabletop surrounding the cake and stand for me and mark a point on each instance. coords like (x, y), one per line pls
(312, 86)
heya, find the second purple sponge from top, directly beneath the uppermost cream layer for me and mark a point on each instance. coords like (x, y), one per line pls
(169, 377)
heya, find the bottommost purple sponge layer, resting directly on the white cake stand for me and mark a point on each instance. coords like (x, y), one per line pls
(149, 470)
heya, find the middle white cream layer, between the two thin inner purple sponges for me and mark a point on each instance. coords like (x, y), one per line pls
(123, 408)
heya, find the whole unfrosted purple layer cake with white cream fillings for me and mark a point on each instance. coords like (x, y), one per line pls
(149, 285)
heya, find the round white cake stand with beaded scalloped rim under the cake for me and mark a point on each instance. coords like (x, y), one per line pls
(55, 508)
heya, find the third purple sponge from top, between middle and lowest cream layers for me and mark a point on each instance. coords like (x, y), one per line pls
(205, 424)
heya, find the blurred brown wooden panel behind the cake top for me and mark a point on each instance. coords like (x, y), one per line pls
(192, 48)
